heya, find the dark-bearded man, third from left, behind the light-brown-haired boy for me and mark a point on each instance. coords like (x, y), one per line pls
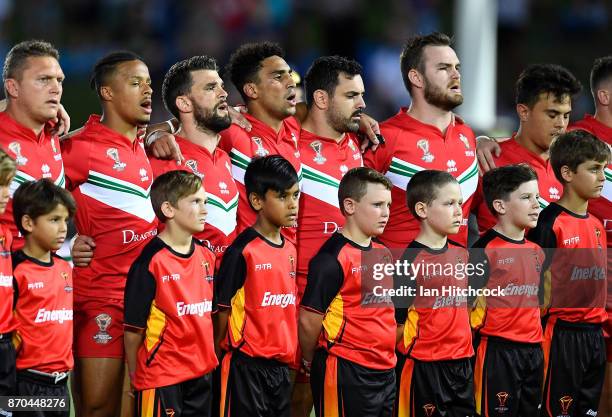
(193, 92)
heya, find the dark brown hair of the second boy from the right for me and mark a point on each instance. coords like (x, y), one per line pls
(499, 183)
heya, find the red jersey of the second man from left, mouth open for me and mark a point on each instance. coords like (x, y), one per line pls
(110, 178)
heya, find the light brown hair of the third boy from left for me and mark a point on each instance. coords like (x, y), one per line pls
(171, 187)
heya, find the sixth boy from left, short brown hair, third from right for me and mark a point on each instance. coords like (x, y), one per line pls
(435, 340)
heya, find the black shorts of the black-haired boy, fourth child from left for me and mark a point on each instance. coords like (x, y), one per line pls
(254, 387)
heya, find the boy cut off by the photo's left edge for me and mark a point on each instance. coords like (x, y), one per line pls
(7, 323)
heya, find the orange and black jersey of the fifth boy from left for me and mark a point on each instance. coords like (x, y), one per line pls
(357, 326)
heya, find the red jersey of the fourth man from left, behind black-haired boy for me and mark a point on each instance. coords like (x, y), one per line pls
(262, 140)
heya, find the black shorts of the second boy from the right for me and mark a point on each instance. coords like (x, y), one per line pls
(508, 378)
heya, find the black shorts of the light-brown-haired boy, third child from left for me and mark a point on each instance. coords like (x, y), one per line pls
(191, 398)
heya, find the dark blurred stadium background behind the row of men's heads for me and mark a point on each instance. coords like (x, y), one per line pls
(568, 32)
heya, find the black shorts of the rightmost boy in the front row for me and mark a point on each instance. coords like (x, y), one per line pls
(575, 360)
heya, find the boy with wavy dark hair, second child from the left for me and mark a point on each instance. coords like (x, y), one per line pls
(43, 292)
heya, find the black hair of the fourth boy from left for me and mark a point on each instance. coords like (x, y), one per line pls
(272, 172)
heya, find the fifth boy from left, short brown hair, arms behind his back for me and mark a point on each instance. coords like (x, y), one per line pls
(353, 366)
